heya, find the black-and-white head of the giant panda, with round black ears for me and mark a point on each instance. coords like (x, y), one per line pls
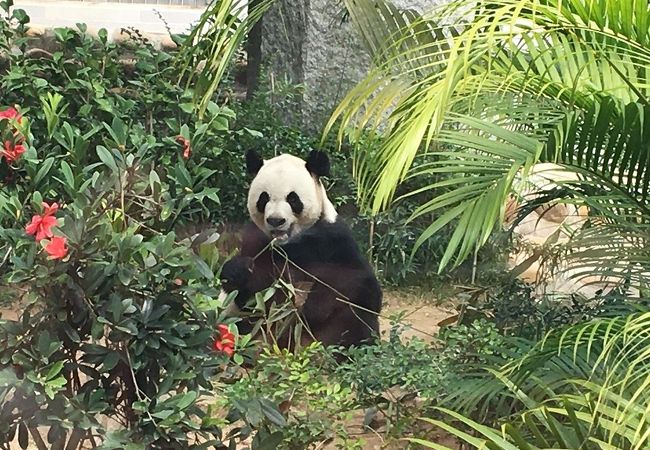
(286, 196)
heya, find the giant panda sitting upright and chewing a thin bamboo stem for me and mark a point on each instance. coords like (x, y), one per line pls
(295, 234)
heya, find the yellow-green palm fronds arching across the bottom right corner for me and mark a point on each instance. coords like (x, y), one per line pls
(583, 387)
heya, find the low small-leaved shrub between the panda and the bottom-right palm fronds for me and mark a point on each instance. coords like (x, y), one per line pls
(400, 379)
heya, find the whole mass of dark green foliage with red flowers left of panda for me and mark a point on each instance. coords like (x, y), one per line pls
(101, 164)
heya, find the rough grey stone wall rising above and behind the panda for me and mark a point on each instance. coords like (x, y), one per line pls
(306, 43)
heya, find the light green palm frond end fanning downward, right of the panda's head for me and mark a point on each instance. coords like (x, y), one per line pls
(476, 181)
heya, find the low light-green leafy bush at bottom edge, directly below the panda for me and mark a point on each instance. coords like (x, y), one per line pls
(313, 406)
